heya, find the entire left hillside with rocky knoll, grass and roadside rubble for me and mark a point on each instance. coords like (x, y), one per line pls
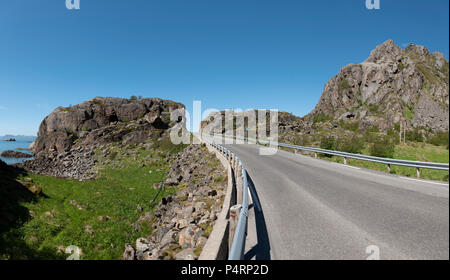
(108, 180)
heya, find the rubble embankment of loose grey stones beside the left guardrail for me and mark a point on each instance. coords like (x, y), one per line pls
(182, 222)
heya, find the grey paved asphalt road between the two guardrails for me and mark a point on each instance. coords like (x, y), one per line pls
(315, 209)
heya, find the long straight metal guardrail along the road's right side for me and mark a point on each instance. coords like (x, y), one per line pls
(388, 161)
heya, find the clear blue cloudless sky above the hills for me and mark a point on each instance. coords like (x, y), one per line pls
(234, 54)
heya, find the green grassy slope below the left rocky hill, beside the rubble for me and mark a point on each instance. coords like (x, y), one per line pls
(116, 193)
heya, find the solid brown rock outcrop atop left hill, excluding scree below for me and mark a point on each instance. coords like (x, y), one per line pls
(103, 120)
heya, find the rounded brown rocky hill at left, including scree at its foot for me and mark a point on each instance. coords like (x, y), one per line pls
(69, 136)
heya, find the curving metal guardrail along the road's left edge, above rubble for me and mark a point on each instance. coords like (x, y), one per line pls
(238, 233)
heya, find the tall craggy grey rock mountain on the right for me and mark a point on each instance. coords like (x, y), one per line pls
(391, 86)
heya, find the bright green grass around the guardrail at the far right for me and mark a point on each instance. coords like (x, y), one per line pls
(425, 152)
